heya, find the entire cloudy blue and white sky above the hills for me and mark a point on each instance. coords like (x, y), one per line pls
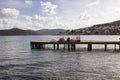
(53, 14)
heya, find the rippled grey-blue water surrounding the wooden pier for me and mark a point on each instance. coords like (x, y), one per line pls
(19, 62)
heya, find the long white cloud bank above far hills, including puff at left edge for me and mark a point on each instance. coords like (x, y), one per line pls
(9, 19)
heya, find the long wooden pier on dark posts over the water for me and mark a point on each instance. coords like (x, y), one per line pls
(72, 45)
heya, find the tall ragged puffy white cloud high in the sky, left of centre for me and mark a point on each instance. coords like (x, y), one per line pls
(48, 8)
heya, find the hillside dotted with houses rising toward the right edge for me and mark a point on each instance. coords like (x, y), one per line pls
(112, 28)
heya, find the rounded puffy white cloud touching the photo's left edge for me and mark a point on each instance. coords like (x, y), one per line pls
(9, 13)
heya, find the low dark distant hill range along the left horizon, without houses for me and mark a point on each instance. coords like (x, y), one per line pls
(16, 31)
